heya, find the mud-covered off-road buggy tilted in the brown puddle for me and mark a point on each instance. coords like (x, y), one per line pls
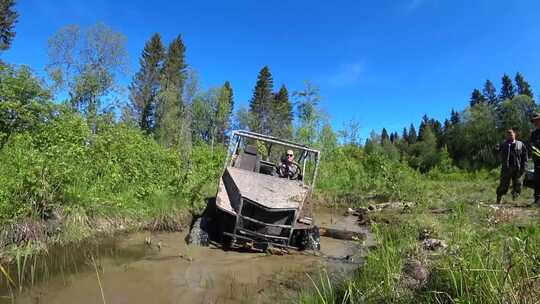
(255, 207)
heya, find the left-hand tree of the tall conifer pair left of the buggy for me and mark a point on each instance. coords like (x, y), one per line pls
(145, 85)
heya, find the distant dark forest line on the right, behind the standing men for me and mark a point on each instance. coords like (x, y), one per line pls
(471, 135)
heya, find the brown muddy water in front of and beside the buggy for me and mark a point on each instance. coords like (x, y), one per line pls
(170, 271)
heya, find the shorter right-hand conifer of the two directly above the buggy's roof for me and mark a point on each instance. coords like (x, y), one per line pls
(282, 114)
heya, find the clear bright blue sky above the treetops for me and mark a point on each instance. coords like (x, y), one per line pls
(382, 63)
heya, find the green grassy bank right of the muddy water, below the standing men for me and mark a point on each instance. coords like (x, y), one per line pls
(493, 255)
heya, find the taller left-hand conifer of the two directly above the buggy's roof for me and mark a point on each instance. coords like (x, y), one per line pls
(260, 105)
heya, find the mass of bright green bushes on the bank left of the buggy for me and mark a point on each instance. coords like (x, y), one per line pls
(53, 158)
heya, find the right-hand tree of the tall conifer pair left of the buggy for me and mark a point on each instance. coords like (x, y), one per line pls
(171, 122)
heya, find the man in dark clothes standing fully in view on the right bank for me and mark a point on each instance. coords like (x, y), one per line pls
(514, 158)
